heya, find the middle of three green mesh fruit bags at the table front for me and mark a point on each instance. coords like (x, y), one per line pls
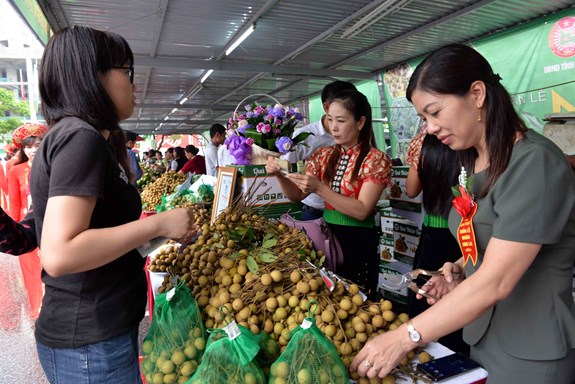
(230, 357)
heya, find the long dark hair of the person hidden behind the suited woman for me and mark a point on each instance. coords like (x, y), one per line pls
(437, 171)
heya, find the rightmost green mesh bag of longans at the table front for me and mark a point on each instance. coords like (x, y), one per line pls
(309, 357)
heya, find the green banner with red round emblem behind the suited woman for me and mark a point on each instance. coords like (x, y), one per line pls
(536, 62)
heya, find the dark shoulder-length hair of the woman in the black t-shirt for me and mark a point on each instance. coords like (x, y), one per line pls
(69, 82)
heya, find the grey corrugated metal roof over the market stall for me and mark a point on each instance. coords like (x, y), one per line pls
(296, 49)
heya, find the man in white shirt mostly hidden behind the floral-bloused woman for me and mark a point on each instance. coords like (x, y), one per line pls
(313, 205)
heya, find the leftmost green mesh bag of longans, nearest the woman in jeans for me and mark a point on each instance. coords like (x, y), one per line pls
(175, 343)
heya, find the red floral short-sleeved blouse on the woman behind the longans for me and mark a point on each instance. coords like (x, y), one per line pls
(376, 168)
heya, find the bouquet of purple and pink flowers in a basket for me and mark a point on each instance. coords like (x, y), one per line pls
(269, 128)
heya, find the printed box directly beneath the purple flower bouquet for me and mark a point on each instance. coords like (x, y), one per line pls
(264, 191)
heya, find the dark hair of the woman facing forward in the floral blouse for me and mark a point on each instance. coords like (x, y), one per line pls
(355, 102)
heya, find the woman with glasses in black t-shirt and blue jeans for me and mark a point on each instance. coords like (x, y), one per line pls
(87, 213)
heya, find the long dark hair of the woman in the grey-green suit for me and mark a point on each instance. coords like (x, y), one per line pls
(450, 71)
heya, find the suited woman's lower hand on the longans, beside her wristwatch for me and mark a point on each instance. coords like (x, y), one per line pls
(382, 353)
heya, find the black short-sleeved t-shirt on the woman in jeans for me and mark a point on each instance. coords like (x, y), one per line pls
(83, 308)
